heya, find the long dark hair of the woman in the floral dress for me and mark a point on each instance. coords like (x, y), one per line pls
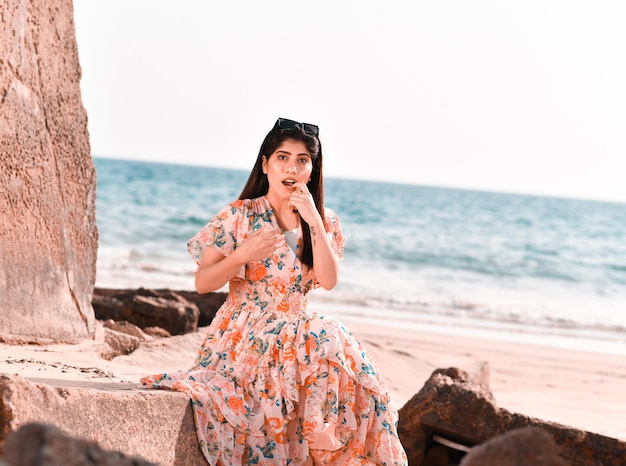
(258, 185)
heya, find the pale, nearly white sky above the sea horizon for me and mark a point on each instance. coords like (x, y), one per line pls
(520, 96)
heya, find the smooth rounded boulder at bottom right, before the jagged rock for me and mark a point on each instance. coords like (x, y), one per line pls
(525, 446)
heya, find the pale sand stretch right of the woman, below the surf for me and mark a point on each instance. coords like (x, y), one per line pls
(581, 389)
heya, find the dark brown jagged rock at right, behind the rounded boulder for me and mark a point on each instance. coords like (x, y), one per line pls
(450, 405)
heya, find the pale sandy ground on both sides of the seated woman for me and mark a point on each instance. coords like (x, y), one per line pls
(579, 389)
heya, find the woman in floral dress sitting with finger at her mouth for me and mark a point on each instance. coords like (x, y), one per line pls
(273, 383)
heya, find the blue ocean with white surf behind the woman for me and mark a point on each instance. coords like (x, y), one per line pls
(531, 269)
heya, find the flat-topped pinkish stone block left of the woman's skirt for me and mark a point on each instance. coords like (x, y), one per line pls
(153, 424)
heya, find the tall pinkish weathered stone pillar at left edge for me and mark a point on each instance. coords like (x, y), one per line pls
(48, 234)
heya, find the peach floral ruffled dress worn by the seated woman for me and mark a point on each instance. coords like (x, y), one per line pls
(275, 384)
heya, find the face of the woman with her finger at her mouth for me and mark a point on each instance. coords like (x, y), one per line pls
(290, 163)
